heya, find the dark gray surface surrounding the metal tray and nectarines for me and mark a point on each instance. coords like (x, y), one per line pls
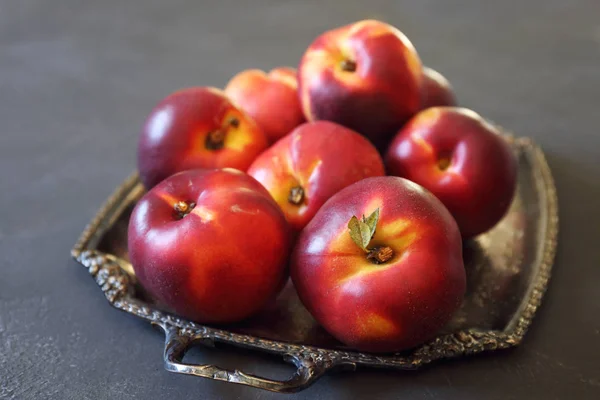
(77, 78)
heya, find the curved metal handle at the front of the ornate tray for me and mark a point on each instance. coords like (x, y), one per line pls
(176, 345)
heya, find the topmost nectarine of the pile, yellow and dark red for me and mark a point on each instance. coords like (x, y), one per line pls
(379, 96)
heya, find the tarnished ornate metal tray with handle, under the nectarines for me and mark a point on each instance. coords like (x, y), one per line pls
(508, 270)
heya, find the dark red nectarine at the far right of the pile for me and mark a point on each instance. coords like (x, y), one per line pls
(479, 183)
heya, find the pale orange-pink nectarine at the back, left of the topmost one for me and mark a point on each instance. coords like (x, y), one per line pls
(270, 99)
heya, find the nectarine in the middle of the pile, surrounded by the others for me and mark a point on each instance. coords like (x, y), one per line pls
(322, 157)
